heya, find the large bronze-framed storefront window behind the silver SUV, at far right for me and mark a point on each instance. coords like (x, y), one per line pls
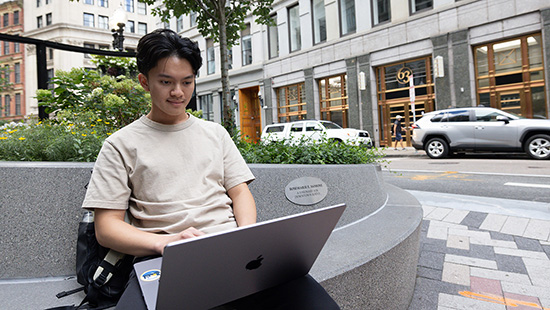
(510, 76)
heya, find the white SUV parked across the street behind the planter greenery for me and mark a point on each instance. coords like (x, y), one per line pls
(315, 130)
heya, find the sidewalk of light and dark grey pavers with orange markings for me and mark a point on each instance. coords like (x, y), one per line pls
(478, 260)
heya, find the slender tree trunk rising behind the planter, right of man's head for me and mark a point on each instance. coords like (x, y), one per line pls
(228, 121)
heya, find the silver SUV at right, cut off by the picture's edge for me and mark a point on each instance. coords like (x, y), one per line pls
(440, 133)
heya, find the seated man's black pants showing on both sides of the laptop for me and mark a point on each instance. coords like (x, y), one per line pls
(303, 293)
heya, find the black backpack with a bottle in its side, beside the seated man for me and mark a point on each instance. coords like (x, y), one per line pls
(102, 272)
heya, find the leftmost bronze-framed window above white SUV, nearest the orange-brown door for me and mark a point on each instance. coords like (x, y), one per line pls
(291, 103)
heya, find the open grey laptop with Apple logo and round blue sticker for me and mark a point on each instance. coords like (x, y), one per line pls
(211, 270)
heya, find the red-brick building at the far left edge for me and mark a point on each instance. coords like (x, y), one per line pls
(12, 63)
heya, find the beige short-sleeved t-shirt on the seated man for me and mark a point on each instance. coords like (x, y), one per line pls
(171, 177)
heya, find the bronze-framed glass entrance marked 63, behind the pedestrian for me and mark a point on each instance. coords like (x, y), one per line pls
(394, 95)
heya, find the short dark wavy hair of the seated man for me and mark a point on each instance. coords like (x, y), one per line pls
(163, 43)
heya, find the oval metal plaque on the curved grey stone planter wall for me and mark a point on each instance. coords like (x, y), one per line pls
(306, 191)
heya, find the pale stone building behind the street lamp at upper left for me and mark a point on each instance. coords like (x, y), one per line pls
(85, 23)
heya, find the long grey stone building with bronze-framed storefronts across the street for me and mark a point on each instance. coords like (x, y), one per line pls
(361, 63)
